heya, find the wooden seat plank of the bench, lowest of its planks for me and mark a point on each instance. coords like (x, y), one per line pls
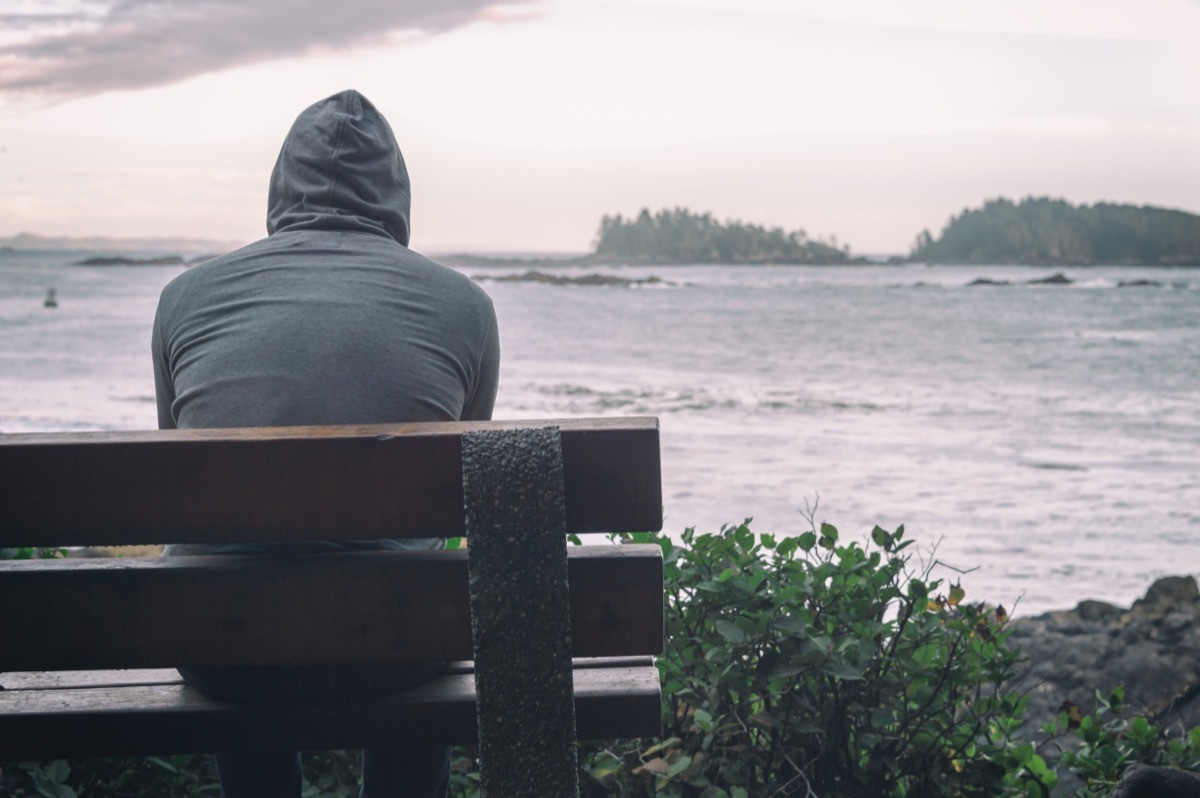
(611, 703)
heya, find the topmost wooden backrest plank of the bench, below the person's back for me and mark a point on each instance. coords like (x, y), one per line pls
(298, 483)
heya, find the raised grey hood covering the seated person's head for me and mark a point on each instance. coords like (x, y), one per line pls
(340, 170)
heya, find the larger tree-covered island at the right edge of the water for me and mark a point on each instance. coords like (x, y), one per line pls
(1041, 231)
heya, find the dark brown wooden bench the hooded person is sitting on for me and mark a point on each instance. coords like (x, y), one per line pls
(88, 646)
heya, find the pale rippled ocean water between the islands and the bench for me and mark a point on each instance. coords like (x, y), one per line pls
(1040, 441)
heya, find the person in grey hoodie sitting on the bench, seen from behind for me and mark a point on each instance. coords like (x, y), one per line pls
(329, 320)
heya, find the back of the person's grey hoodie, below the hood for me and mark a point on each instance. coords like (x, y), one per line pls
(316, 327)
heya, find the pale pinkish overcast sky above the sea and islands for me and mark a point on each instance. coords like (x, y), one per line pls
(524, 124)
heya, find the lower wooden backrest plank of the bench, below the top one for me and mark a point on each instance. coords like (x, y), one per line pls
(362, 608)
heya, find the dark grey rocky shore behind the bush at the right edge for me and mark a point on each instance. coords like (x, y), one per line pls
(1151, 649)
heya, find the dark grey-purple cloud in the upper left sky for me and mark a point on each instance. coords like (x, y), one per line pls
(70, 49)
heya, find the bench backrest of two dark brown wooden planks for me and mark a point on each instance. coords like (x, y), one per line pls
(297, 484)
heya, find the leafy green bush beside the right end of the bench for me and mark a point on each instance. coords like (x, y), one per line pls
(811, 667)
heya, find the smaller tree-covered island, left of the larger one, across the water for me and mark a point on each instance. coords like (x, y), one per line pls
(682, 237)
